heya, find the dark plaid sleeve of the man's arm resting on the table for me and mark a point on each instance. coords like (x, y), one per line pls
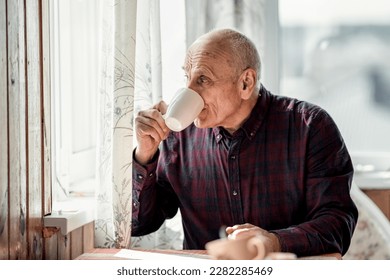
(331, 214)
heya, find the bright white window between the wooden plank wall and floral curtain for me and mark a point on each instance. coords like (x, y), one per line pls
(74, 57)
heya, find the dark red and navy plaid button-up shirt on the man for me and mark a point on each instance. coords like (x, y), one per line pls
(286, 170)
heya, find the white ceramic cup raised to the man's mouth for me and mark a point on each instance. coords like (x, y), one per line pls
(185, 106)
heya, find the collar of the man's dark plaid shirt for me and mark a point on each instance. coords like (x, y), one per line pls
(255, 120)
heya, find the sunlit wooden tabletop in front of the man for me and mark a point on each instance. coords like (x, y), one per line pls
(109, 254)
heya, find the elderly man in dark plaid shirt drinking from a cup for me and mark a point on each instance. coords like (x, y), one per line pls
(258, 163)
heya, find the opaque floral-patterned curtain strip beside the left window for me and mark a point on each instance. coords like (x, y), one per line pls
(115, 127)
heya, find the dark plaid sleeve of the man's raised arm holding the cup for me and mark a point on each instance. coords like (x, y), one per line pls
(153, 201)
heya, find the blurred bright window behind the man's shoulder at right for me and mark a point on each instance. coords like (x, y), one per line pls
(334, 53)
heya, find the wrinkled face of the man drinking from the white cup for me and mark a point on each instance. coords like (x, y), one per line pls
(211, 71)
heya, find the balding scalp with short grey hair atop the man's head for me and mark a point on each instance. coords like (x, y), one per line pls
(240, 47)
